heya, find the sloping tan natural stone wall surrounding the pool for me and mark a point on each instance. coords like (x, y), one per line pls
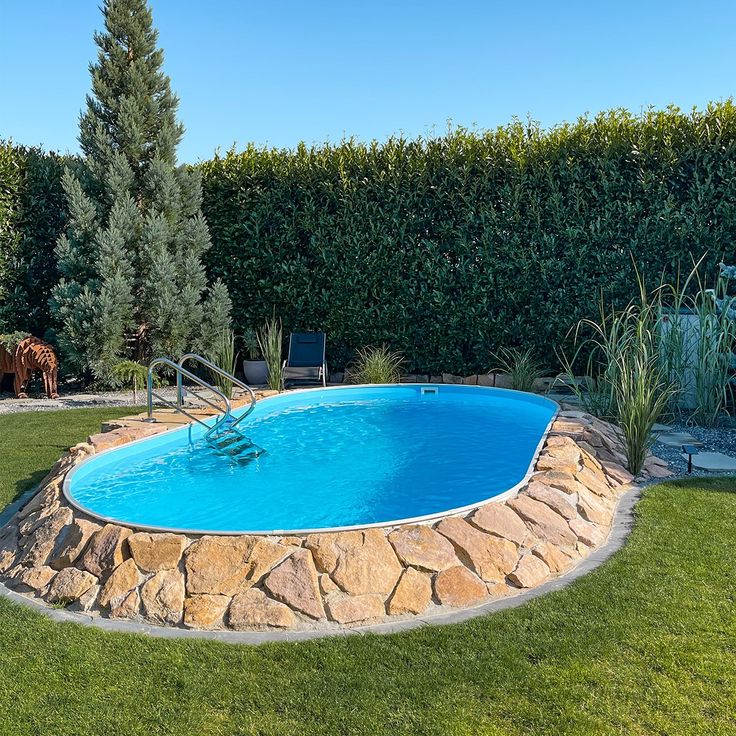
(52, 551)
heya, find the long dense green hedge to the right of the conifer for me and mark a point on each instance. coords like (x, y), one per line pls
(448, 248)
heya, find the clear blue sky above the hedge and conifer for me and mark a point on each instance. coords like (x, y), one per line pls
(276, 72)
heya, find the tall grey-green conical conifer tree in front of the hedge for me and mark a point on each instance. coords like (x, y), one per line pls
(132, 281)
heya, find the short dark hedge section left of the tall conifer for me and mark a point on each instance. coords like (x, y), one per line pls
(32, 214)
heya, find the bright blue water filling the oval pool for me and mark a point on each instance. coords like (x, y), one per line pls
(334, 457)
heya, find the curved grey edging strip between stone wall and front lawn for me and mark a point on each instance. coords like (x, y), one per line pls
(621, 527)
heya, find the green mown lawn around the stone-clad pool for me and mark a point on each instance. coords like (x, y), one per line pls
(646, 644)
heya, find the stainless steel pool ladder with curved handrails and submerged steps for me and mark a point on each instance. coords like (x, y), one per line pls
(223, 436)
